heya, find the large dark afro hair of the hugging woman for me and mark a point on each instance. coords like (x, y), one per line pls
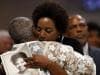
(53, 11)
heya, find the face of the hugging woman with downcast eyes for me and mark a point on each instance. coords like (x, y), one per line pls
(46, 30)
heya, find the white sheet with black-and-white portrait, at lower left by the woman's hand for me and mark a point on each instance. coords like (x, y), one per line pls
(14, 63)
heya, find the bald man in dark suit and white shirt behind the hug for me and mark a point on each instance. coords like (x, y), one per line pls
(78, 29)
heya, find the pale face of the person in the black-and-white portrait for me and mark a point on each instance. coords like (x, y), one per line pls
(20, 64)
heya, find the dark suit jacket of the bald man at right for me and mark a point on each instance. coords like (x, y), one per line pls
(95, 54)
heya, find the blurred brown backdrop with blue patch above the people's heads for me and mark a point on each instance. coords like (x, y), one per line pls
(90, 9)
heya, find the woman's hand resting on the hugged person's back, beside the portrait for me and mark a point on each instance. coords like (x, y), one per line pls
(37, 61)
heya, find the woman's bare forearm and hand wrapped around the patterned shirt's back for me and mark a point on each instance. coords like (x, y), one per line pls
(41, 61)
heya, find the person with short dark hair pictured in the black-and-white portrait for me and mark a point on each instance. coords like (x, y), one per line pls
(19, 62)
